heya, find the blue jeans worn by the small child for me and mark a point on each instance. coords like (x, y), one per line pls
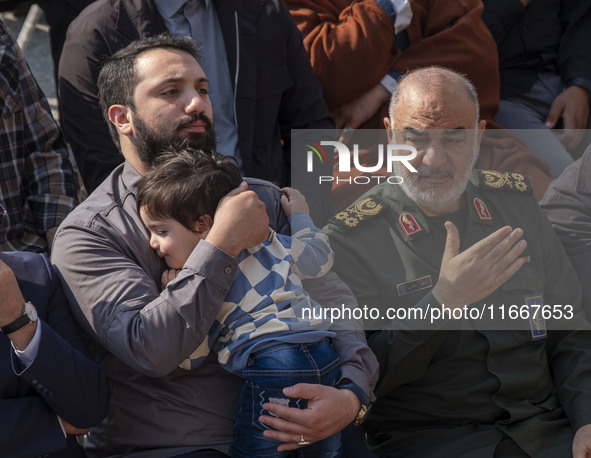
(268, 372)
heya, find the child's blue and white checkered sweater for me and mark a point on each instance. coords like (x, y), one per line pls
(266, 301)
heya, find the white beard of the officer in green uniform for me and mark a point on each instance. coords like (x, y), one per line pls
(438, 198)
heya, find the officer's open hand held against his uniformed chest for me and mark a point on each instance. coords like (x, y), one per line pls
(472, 275)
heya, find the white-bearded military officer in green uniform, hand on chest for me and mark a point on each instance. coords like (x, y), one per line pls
(447, 237)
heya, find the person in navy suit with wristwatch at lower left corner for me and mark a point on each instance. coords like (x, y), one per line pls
(50, 389)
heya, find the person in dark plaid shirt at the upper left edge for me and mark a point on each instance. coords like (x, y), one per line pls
(36, 176)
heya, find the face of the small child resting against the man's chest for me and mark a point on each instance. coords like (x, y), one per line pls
(171, 240)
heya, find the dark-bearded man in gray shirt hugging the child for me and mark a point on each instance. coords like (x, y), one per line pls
(154, 93)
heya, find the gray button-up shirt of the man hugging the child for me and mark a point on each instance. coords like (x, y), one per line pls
(111, 276)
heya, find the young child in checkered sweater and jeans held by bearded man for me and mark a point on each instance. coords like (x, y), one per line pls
(261, 332)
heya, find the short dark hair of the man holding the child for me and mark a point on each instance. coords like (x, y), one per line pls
(118, 77)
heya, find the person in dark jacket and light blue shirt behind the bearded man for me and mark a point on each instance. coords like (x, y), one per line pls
(264, 85)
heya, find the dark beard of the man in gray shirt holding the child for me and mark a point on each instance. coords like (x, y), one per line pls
(150, 143)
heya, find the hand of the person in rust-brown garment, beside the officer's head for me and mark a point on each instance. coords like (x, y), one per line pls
(361, 109)
